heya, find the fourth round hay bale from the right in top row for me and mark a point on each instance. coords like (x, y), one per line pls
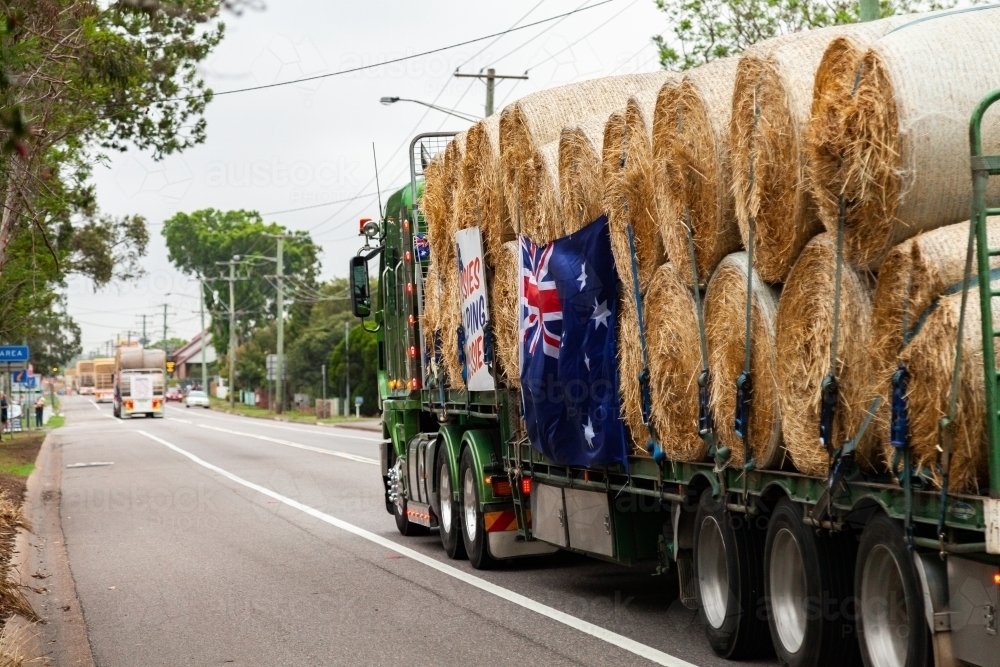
(628, 166)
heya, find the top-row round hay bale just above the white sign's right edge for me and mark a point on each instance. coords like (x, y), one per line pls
(483, 196)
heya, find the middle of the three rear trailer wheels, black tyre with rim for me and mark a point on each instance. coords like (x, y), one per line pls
(809, 576)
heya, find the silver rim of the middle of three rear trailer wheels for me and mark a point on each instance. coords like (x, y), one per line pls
(788, 590)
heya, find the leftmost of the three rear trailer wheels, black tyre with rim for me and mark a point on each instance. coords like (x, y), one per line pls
(729, 571)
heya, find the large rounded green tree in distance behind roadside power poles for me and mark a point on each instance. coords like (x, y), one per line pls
(199, 242)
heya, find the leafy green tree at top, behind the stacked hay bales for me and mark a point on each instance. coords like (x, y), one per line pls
(706, 30)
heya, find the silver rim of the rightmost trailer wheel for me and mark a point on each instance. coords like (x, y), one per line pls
(885, 617)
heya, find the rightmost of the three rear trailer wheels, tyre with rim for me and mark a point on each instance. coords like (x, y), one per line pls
(892, 627)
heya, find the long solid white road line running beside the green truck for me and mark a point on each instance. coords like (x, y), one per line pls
(613, 638)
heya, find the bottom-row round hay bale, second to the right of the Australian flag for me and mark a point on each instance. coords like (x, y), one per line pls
(674, 364)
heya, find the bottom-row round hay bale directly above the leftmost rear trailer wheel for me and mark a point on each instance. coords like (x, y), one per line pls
(725, 328)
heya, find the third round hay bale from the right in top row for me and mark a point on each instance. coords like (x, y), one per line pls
(693, 175)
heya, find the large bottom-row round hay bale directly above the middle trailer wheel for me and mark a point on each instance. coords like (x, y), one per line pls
(804, 339)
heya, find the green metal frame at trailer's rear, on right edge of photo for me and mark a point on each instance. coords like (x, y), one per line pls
(983, 167)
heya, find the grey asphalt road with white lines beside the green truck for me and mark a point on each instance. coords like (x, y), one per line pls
(222, 540)
